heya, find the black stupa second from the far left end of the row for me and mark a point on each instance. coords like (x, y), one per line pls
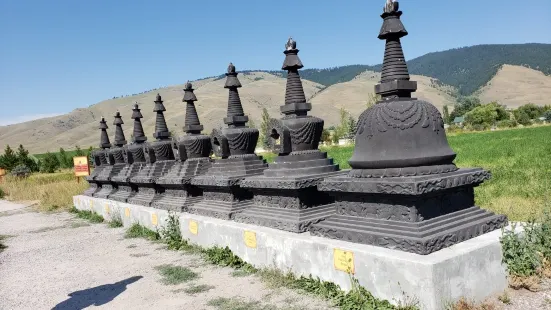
(118, 158)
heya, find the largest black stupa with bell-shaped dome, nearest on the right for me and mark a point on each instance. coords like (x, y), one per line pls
(403, 191)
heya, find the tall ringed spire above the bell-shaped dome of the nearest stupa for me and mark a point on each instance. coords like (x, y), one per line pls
(395, 81)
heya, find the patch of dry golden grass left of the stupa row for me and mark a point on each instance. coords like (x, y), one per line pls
(55, 191)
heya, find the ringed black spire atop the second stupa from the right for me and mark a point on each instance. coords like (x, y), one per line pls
(295, 100)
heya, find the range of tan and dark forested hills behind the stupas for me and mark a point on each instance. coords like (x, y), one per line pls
(519, 78)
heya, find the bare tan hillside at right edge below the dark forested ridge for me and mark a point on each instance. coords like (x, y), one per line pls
(514, 86)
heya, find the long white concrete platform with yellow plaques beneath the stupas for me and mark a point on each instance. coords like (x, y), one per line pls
(471, 269)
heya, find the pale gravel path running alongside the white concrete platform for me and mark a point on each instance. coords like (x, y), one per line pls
(58, 261)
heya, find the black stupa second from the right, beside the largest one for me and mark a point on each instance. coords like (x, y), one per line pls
(286, 195)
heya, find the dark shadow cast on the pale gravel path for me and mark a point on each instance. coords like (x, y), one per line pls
(97, 296)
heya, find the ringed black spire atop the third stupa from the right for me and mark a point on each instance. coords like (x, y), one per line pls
(236, 115)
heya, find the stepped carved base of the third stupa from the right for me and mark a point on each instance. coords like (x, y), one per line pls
(222, 202)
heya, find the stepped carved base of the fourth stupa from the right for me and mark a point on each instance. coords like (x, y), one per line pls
(177, 199)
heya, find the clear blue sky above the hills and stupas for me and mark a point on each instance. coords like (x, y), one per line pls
(59, 55)
